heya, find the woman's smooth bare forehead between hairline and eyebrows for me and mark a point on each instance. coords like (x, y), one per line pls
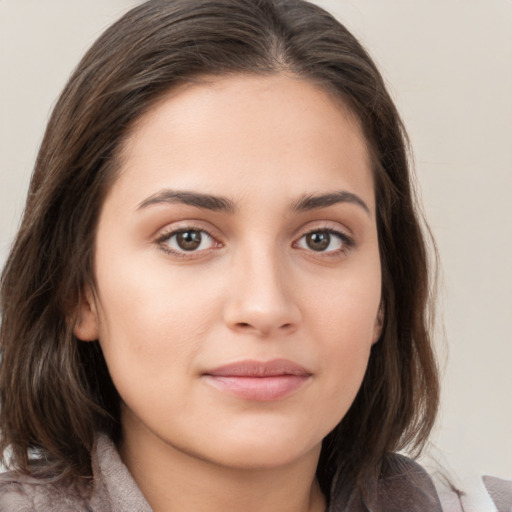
(240, 131)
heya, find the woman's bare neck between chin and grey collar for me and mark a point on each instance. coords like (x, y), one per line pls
(172, 480)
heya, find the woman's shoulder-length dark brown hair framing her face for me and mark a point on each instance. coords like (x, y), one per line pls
(56, 392)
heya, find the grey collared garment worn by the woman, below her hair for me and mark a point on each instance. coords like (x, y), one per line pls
(114, 490)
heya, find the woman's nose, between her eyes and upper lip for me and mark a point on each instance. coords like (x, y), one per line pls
(261, 300)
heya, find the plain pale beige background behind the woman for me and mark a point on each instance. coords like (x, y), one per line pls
(449, 66)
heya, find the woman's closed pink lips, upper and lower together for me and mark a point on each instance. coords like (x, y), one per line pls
(259, 381)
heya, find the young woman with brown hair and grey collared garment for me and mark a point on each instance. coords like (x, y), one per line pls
(218, 295)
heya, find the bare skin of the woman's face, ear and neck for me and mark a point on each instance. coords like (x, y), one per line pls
(256, 288)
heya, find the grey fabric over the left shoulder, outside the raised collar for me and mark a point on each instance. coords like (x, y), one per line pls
(24, 493)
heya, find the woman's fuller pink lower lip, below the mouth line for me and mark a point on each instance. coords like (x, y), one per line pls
(262, 389)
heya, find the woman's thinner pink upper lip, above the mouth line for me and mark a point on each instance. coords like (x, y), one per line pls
(250, 368)
